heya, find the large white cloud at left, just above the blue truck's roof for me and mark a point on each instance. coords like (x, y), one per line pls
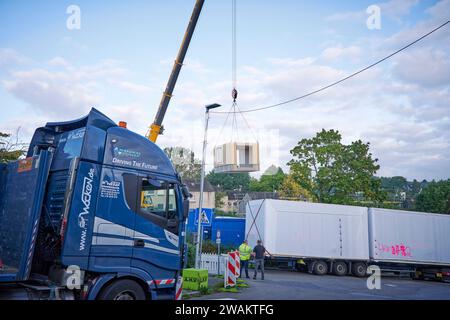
(67, 90)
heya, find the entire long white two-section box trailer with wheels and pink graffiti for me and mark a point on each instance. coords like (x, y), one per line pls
(346, 240)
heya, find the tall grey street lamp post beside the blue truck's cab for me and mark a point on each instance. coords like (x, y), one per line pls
(198, 248)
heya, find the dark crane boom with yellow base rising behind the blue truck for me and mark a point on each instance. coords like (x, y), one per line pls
(156, 127)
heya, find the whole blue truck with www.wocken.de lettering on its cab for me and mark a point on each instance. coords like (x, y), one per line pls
(95, 211)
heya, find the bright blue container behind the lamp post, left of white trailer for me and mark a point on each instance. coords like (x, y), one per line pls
(232, 229)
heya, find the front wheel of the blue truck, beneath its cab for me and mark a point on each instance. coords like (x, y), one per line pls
(124, 289)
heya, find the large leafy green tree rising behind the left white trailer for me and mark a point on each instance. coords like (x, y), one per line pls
(333, 172)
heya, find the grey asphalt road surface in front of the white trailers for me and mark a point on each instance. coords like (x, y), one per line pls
(289, 285)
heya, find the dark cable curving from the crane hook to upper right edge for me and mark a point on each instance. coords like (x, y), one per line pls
(343, 79)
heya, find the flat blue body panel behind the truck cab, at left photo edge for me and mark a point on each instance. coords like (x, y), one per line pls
(22, 189)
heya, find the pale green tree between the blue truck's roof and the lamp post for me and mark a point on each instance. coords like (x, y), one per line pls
(185, 162)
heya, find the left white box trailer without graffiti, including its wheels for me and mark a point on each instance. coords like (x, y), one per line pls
(323, 236)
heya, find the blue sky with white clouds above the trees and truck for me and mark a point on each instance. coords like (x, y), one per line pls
(120, 59)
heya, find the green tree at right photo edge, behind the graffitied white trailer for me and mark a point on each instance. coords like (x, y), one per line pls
(435, 197)
